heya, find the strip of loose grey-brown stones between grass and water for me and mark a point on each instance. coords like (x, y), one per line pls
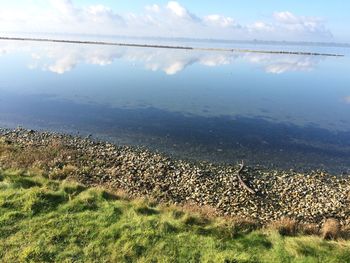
(306, 197)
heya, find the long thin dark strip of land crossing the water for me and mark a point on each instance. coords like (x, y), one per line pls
(172, 47)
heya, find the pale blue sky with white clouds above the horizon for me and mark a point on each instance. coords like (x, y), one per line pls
(289, 20)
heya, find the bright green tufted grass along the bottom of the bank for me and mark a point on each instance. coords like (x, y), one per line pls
(42, 220)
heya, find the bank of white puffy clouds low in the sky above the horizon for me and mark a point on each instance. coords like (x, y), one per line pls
(171, 20)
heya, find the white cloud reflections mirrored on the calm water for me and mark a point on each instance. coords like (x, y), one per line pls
(64, 58)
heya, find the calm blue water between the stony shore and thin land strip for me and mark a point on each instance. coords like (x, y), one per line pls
(287, 111)
